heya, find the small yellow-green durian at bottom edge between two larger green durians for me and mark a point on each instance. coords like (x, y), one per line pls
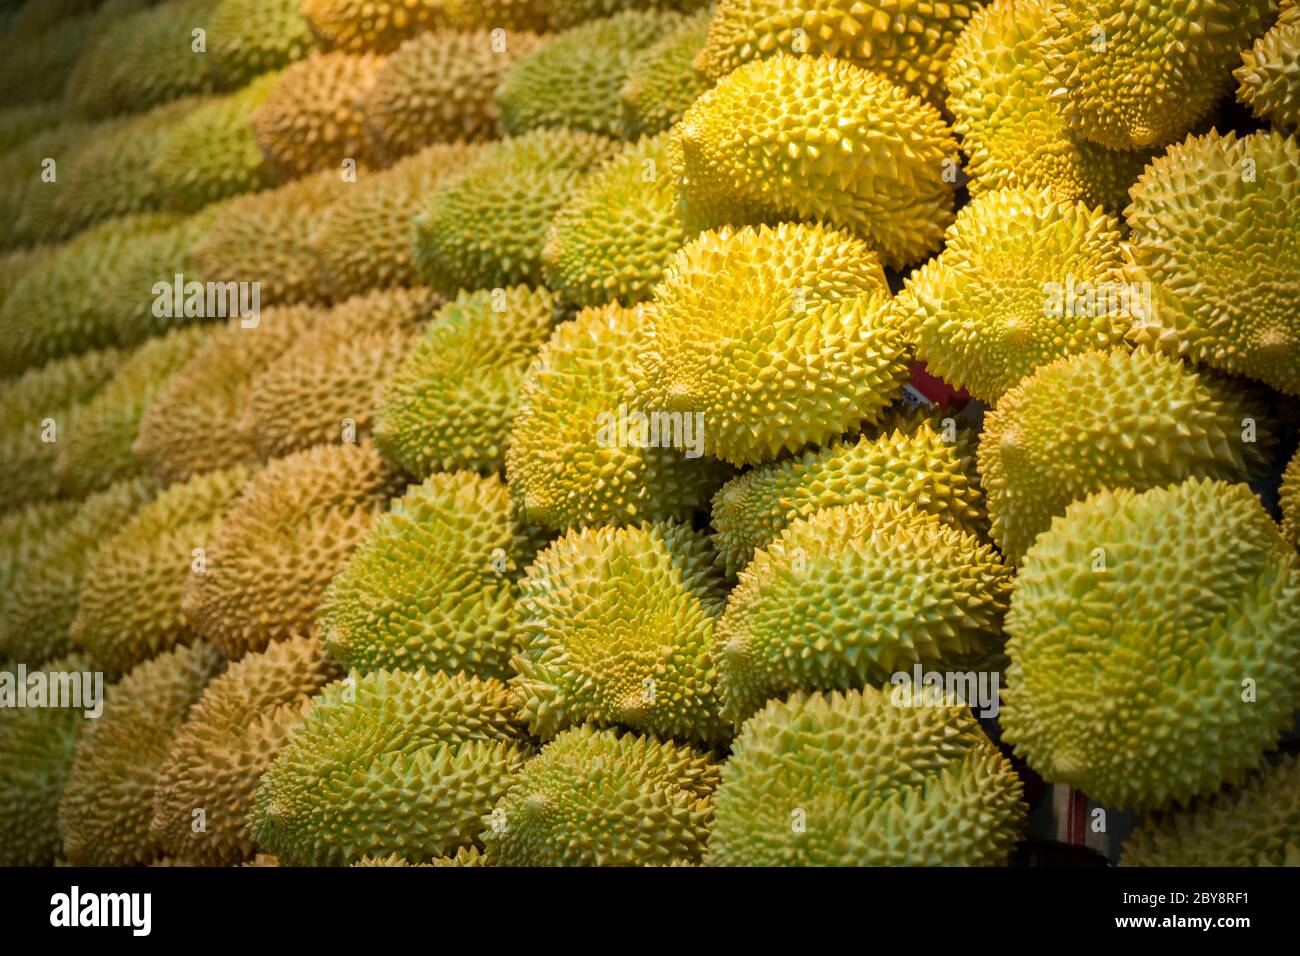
(597, 798)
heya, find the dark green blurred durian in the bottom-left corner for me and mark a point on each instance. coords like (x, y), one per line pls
(37, 750)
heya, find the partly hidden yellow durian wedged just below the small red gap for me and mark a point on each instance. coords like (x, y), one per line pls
(926, 464)
